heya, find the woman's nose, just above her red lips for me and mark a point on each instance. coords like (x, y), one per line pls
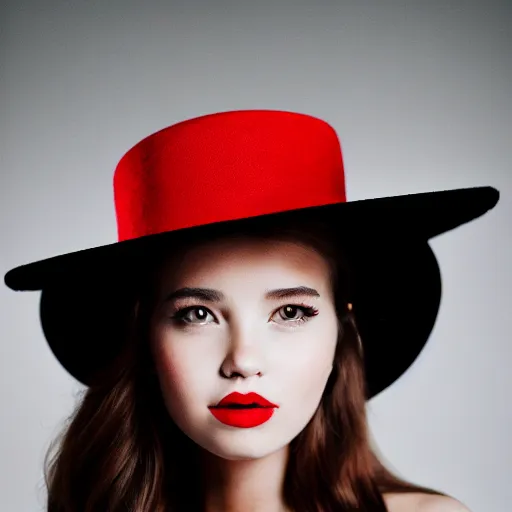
(243, 358)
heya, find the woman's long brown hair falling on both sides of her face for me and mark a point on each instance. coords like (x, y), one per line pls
(121, 451)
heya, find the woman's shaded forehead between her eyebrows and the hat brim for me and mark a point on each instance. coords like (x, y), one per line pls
(246, 259)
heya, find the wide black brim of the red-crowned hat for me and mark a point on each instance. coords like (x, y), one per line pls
(397, 283)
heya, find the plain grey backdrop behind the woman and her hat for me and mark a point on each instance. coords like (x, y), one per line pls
(420, 94)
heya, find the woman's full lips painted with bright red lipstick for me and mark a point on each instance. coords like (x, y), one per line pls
(243, 411)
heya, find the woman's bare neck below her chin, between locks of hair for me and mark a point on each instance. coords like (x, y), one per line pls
(250, 485)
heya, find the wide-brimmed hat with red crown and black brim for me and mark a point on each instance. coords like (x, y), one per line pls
(238, 170)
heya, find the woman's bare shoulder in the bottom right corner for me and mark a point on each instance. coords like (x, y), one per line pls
(420, 502)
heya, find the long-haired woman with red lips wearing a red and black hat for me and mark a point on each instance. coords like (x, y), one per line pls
(231, 338)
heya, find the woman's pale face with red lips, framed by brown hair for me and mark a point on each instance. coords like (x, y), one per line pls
(238, 335)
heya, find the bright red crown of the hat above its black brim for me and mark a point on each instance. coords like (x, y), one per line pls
(227, 166)
